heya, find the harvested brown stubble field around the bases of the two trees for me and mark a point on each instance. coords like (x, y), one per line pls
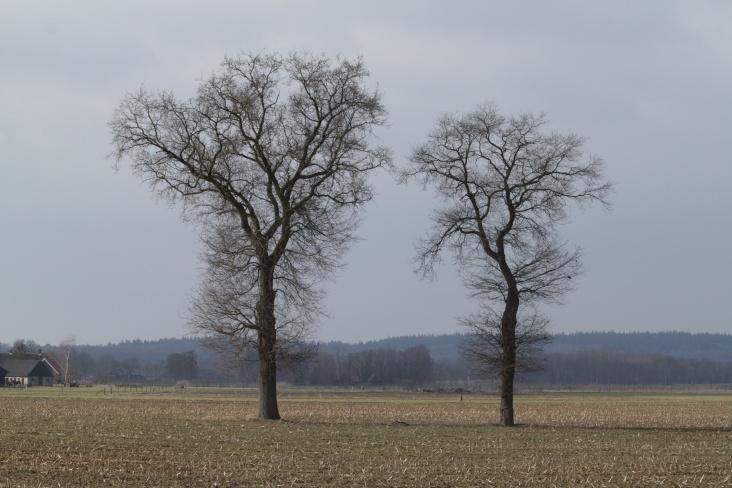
(208, 437)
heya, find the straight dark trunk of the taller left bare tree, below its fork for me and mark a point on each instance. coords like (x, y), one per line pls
(267, 344)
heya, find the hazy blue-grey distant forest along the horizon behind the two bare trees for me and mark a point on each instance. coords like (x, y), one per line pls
(587, 358)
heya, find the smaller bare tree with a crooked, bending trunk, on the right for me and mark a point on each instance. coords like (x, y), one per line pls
(506, 187)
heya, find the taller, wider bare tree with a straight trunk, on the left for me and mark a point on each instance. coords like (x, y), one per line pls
(272, 155)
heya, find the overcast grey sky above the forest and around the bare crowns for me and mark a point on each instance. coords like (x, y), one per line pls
(88, 252)
